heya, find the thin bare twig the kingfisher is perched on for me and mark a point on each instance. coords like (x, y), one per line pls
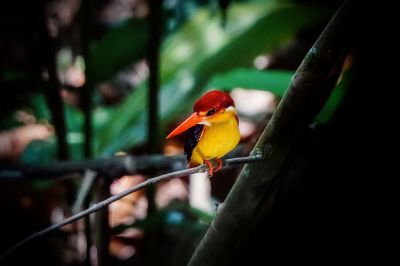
(201, 168)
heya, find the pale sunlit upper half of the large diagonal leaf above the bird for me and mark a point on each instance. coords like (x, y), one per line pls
(202, 36)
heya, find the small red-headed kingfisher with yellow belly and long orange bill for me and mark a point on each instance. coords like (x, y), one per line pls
(212, 130)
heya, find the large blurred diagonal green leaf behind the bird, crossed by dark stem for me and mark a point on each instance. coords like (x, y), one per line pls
(192, 56)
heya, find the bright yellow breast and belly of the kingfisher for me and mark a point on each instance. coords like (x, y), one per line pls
(218, 139)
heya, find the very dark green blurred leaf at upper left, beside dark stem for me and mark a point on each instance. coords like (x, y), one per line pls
(120, 46)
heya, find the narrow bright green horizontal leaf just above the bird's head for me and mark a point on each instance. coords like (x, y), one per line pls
(275, 81)
